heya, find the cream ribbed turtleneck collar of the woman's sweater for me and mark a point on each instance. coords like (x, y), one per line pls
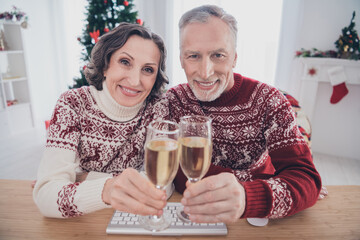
(111, 108)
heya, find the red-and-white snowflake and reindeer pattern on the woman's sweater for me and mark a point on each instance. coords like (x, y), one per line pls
(101, 144)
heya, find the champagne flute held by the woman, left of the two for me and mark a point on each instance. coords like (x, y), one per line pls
(161, 165)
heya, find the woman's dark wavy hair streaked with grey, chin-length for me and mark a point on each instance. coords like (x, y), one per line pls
(111, 42)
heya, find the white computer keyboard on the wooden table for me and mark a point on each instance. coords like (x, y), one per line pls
(127, 223)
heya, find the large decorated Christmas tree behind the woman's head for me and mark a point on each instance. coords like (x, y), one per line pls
(101, 17)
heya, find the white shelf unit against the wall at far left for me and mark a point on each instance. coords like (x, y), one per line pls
(14, 84)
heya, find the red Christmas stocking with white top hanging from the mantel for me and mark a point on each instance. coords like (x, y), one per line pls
(337, 78)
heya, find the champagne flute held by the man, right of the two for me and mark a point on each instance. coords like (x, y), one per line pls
(195, 150)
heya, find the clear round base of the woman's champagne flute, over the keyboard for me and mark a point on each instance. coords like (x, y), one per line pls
(155, 223)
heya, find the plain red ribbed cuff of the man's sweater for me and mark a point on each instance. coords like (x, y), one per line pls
(258, 199)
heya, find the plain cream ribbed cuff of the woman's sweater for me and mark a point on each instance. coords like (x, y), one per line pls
(89, 196)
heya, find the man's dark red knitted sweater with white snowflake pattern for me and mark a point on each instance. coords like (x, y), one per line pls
(255, 137)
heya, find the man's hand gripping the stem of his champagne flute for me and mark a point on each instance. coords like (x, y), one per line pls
(218, 198)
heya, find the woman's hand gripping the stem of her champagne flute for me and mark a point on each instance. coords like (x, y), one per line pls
(132, 193)
